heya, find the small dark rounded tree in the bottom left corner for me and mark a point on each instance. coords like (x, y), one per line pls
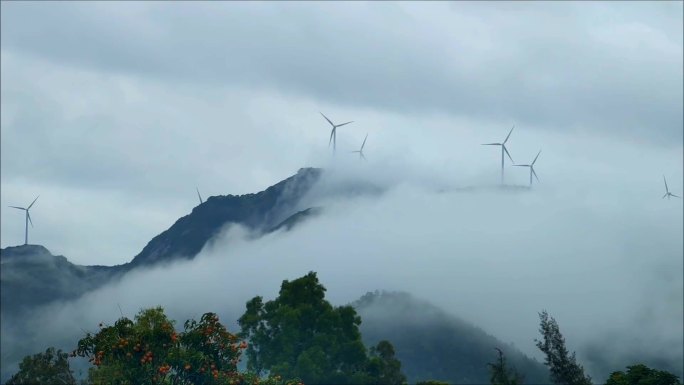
(51, 367)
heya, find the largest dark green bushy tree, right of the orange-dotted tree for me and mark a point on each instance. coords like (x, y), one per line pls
(300, 334)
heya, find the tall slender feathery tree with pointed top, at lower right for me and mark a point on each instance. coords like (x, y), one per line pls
(563, 366)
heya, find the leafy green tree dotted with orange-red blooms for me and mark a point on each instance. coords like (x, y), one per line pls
(150, 351)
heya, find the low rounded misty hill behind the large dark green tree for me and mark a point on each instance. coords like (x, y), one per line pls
(435, 345)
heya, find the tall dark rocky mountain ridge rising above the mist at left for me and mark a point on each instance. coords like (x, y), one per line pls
(32, 276)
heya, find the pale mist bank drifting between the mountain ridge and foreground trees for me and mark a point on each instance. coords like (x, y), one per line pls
(492, 257)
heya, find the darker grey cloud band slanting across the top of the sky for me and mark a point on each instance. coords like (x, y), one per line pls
(610, 68)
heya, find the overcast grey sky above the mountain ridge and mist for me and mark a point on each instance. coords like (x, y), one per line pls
(114, 112)
